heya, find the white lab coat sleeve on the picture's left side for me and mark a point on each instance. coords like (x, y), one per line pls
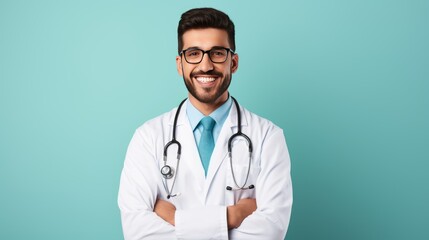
(138, 193)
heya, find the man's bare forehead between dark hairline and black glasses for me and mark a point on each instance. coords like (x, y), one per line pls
(205, 38)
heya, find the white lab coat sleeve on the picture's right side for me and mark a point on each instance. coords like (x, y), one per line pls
(273, 193)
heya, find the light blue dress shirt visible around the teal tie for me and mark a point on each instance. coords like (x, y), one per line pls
(219, 115)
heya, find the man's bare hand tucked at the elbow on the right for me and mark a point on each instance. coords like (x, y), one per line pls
(238, 212)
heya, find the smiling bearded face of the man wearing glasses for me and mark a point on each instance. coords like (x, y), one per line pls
(207, 82)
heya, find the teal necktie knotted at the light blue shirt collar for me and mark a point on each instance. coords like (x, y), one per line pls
(206, 145)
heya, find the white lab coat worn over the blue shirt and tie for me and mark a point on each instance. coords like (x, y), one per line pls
(202, 201)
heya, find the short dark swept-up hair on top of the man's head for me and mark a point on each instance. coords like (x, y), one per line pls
(199, 18)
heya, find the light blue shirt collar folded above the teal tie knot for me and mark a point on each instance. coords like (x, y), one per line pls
(219, 115)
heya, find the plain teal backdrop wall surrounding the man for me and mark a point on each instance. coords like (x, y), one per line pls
(346, 80)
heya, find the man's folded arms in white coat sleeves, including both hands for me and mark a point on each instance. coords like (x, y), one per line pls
(146, 217)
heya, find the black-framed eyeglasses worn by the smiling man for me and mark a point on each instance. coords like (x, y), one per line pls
(216, 55)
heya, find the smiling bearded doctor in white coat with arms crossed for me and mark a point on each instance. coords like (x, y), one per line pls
(179, 180)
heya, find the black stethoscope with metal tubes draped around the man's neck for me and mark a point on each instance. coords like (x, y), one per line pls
(168, 172)
